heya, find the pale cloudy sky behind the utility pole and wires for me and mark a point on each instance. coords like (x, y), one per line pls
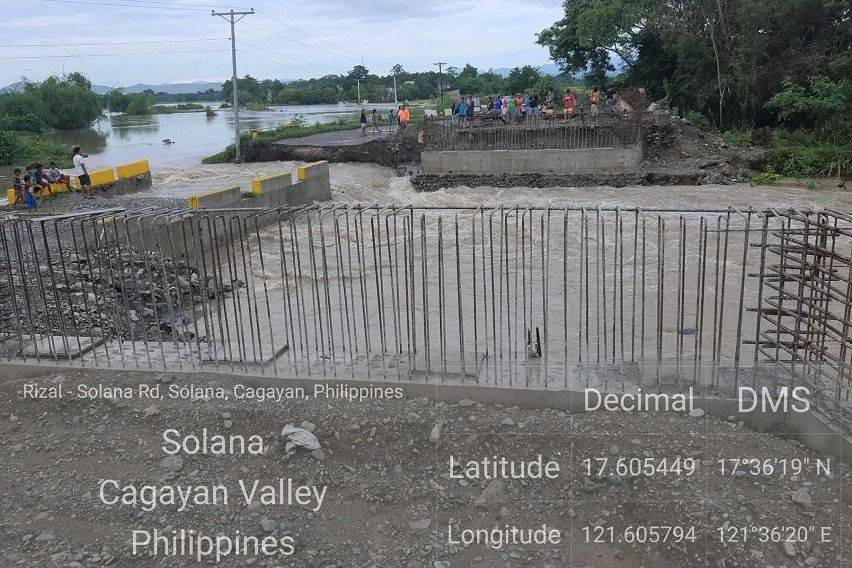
(122, 42)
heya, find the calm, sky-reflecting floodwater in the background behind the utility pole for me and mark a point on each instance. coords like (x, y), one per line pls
(117, 138)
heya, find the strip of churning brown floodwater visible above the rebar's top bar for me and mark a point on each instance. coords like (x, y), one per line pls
(370, 183)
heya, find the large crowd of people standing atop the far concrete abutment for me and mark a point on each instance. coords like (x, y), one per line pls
(517, 106)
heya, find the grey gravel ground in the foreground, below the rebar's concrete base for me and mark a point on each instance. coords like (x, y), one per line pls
(390, 497)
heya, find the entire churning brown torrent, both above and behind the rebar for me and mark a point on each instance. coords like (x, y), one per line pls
(663, 290)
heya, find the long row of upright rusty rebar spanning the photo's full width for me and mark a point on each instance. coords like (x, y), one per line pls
(518, 297)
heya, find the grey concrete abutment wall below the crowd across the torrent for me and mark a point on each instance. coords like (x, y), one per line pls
(531, 161)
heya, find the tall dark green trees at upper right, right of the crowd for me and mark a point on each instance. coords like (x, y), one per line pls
(720, 57)
